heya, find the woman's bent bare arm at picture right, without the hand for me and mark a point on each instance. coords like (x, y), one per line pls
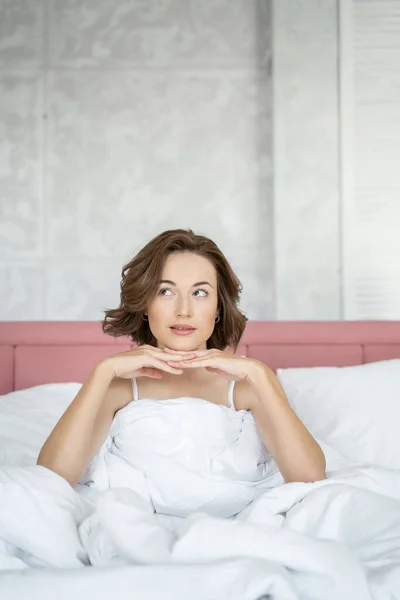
(295, 451)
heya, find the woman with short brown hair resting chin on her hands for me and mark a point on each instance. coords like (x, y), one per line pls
(179, 300)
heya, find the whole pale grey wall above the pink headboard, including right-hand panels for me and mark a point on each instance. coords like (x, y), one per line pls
(251, 121)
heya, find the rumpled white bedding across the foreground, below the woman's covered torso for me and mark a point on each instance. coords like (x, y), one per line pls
(338, 538)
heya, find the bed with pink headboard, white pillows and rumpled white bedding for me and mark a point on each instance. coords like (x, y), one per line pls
(338, 538)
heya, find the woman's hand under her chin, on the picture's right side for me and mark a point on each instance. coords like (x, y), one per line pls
(229, 366)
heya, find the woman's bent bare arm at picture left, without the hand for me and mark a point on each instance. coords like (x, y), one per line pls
(83, 427)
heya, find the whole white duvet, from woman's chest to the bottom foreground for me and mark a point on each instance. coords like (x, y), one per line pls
(200, 514)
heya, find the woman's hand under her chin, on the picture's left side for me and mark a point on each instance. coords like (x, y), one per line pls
(145, 361)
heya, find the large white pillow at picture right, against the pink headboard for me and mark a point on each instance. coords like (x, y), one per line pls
(356, 410)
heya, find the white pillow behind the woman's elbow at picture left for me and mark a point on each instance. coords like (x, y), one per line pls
(27, 418)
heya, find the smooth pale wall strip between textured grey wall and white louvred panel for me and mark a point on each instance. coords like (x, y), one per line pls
(306, 187)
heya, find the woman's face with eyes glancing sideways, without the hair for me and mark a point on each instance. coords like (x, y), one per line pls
(187, 295)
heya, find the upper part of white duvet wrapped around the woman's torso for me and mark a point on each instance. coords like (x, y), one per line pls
(185, 455)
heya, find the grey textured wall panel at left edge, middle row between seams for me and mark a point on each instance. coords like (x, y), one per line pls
(21, 216)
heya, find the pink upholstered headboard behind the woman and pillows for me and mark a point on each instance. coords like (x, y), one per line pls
(32, 353)
